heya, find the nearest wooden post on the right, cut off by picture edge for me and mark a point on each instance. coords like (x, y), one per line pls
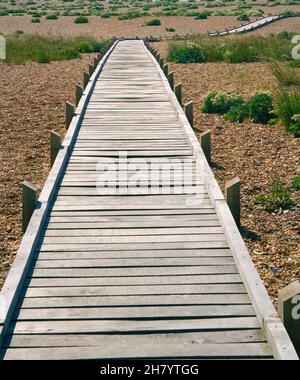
(289, 311)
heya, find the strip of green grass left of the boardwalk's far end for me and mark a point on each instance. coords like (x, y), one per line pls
(22, 48)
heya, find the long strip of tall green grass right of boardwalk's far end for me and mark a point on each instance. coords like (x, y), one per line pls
(234, 49)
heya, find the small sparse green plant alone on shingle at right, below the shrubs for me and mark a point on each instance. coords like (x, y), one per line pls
(279, 198)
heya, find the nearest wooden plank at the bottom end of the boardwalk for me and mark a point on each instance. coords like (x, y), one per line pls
(121, 349)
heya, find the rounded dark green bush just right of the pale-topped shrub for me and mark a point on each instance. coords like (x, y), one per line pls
(260, 107)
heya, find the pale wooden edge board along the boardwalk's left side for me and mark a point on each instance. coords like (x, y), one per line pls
(17, 274)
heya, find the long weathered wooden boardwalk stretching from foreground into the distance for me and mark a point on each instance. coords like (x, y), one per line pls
(105, 273)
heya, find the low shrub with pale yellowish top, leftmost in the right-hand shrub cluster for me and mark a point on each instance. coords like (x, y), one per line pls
(221, 102)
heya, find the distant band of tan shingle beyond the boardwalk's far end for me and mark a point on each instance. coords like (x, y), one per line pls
(98, 27)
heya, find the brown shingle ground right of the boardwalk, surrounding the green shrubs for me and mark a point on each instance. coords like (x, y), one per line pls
(257, 154)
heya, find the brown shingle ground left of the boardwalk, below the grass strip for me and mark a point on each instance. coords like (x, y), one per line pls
(32, 103)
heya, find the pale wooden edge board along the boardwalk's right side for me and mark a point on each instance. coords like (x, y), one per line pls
(268, 318)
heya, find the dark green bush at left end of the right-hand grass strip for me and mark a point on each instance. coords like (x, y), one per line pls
(185, 52)
